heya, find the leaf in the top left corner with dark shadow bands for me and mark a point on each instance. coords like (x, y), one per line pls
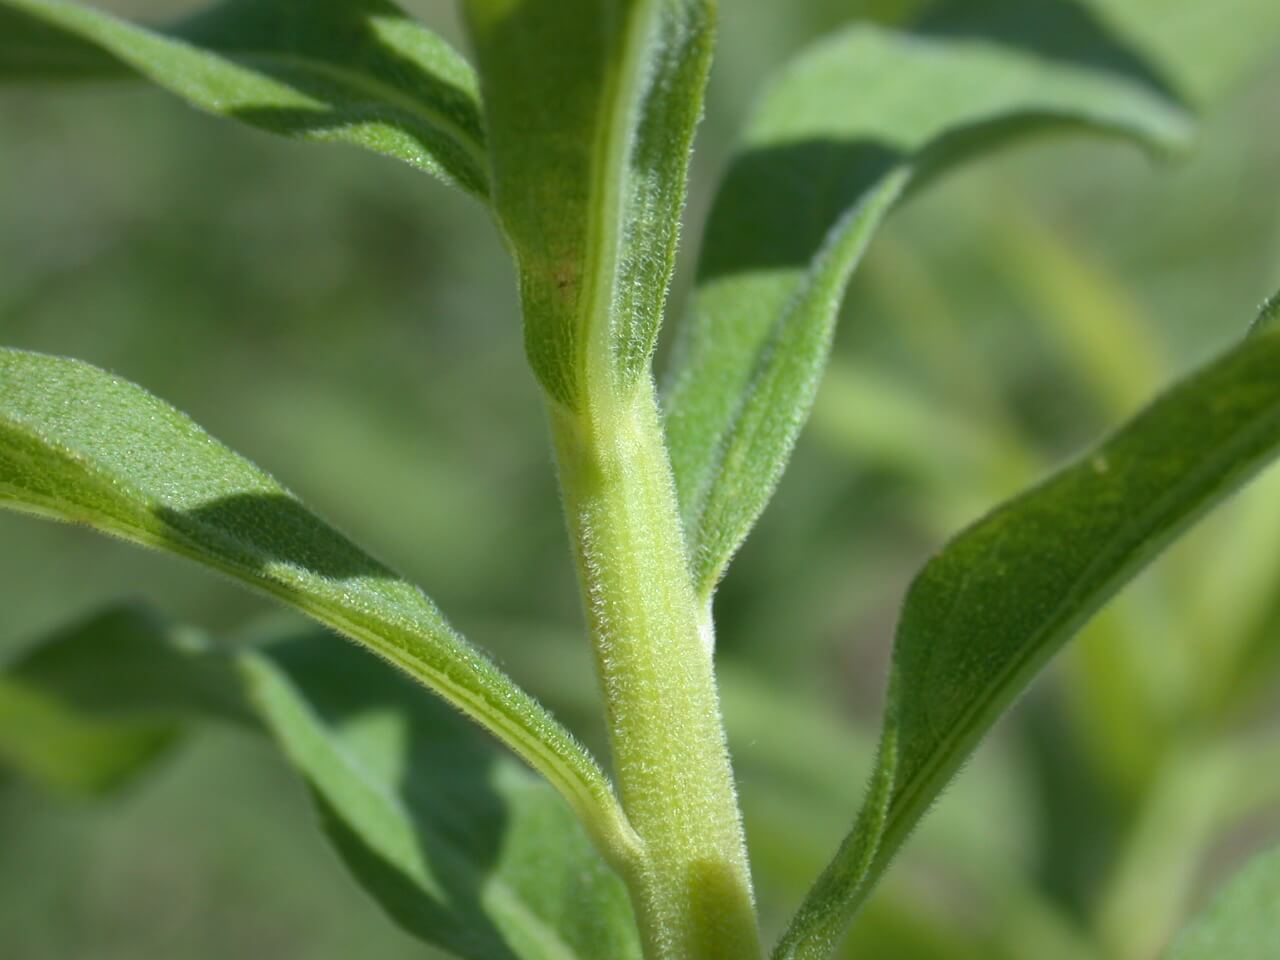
(358, 72)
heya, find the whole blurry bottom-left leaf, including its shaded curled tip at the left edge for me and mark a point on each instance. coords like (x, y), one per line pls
(460, 844)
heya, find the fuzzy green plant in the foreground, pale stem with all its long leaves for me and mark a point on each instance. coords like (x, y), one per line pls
(573, 122)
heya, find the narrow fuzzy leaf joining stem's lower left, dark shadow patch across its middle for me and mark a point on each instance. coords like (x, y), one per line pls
(80, 445)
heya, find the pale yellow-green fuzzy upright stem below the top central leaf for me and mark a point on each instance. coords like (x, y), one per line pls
(692, 888)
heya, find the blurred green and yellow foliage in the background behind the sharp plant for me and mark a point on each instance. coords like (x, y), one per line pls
(353, 327)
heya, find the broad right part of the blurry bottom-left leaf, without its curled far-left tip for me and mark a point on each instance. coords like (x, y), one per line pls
(463, 847)
